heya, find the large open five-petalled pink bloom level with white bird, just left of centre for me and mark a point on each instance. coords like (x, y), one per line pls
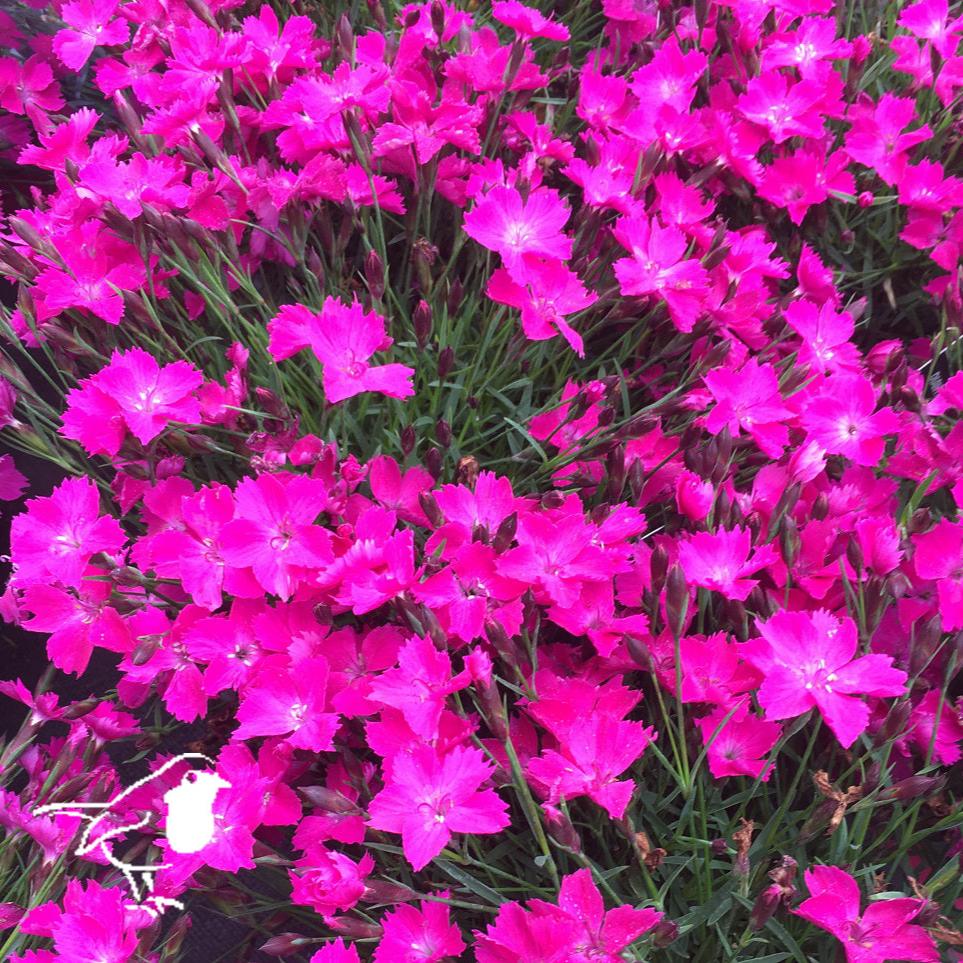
(428, 796)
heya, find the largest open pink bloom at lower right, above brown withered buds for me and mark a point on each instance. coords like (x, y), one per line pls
(808, 663)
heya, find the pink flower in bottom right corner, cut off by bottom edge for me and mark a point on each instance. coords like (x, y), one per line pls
(883, 932)
